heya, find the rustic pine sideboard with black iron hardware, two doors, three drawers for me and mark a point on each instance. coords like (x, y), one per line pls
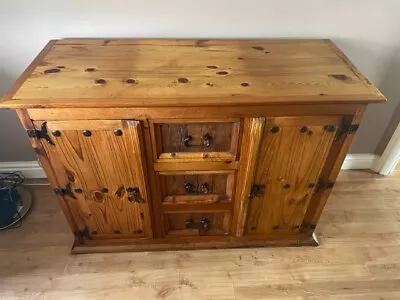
(190, 144)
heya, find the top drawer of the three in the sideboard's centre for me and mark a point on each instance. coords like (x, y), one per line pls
(193, 139)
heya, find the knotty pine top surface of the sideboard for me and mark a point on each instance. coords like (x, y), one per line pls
(131, 72)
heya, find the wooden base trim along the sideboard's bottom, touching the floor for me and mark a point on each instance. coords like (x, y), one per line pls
(163, 245)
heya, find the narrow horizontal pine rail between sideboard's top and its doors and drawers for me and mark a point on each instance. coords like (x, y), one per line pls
(144, 113)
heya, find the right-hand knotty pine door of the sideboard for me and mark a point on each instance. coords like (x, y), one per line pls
(292, 153)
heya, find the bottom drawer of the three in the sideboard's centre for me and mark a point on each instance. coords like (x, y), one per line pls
(197, 224)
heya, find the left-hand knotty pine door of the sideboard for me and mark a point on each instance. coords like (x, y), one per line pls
(98, 165)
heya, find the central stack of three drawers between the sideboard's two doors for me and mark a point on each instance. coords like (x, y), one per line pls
(196, 167)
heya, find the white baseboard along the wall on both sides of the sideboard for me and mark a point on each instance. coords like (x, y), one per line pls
(32, 169)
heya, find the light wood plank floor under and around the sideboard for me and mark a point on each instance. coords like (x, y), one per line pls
(359, 257)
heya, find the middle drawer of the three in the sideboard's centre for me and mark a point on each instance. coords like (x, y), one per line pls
(197, 187)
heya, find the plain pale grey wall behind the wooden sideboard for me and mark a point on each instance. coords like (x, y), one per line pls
(367, 31)
